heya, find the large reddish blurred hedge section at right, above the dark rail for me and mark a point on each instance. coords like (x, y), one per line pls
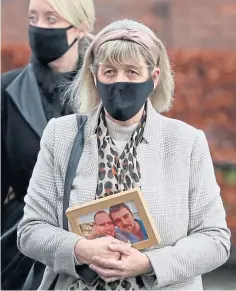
(206, 97)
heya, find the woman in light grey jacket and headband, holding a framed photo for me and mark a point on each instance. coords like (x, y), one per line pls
(124, 85)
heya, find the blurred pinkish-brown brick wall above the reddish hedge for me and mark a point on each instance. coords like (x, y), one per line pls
(180, 23)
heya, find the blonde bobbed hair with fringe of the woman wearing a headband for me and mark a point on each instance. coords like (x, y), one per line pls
(83, 92)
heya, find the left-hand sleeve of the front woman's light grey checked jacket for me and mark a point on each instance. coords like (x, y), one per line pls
(39, 234)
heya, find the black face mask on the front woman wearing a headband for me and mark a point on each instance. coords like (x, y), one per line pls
(123, 100)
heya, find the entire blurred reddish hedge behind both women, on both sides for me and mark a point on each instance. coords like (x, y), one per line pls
(205, 97)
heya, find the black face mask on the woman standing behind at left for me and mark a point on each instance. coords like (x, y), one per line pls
(49, 44)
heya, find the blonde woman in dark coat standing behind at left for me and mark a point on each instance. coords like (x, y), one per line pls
(59, 33)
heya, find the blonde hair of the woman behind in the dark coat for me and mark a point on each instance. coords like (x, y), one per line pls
(80, 13)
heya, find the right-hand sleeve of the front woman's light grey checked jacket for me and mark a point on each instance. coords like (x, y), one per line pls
(207, 245)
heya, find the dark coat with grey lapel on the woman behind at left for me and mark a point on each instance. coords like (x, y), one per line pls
(23, 118)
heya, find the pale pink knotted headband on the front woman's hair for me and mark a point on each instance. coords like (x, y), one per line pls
(140, 37)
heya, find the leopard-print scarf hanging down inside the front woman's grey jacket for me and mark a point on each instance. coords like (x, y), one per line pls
(116, 174)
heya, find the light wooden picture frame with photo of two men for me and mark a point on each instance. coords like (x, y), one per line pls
(82, 217)
